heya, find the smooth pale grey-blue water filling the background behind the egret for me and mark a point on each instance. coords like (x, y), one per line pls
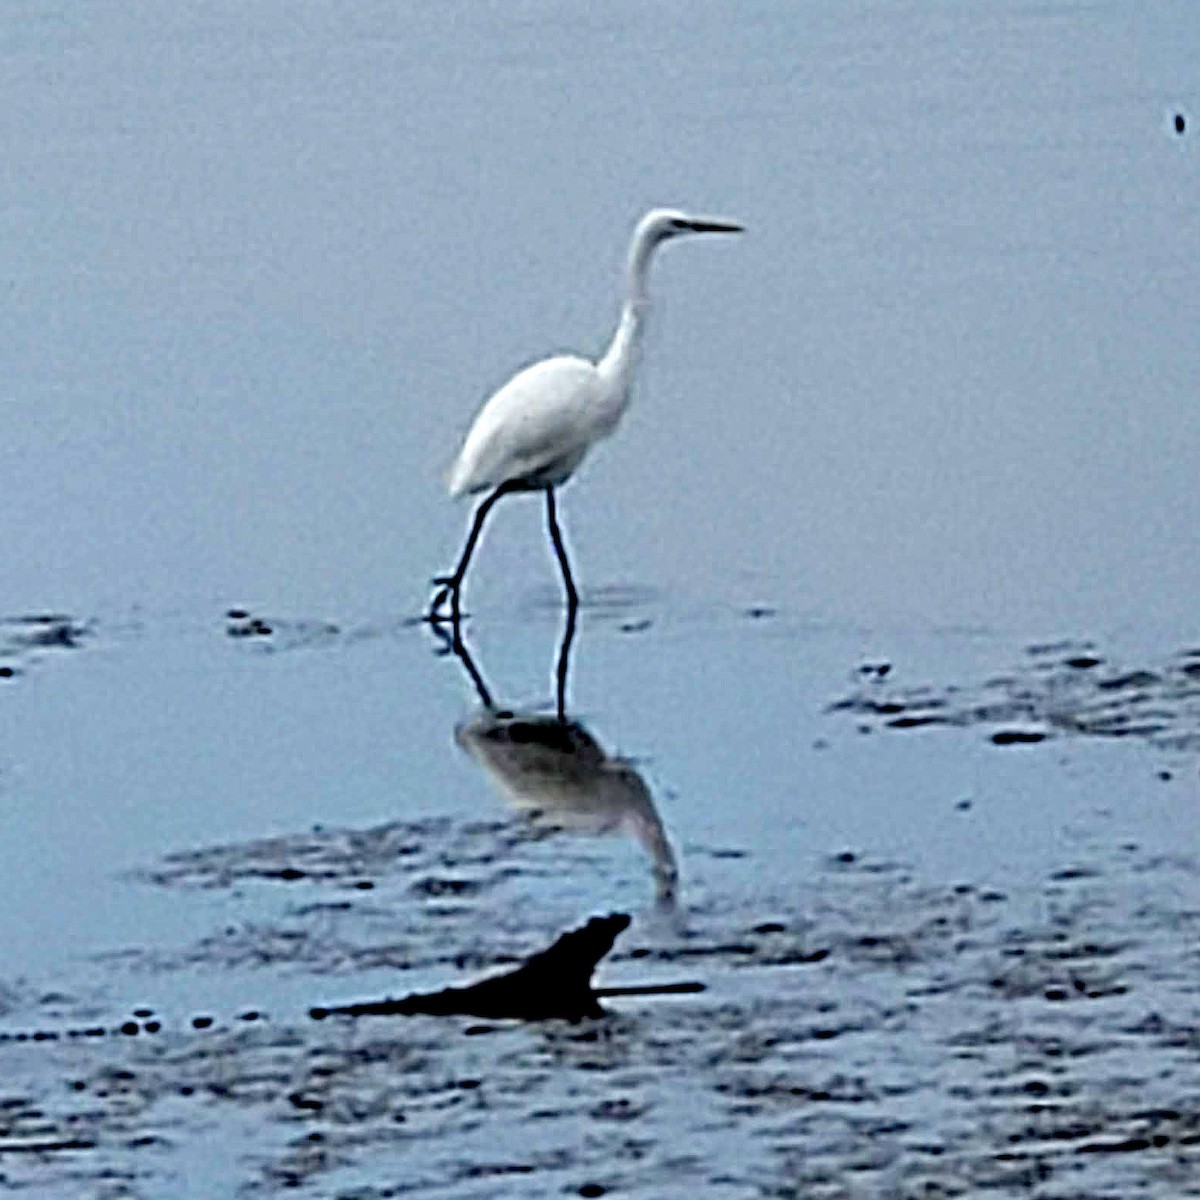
(262, 268)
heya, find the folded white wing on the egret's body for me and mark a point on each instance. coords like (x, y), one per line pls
(542, 417)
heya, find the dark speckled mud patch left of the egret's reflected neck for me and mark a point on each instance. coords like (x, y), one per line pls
(406, 895)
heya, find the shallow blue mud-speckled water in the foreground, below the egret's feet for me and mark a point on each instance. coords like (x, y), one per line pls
(933, 963)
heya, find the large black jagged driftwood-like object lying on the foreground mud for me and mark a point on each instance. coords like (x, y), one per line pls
(553, 983)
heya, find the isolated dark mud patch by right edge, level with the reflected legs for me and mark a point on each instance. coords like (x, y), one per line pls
(1059, 691)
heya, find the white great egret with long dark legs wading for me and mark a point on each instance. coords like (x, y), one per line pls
(535, 433)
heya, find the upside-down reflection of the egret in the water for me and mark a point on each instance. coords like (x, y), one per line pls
(555, 773)
